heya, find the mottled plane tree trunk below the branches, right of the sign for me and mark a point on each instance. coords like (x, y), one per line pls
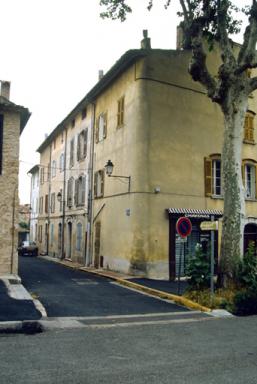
(233, 189)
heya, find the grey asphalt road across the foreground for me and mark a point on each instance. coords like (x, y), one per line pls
(221, 351)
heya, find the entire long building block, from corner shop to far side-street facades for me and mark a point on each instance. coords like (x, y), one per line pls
(162, 134)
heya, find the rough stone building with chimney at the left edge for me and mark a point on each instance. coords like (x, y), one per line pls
(13, 119)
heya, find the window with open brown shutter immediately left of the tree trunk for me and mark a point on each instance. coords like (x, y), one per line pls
(212, 167)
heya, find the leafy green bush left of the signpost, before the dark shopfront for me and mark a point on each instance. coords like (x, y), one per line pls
(198, 270)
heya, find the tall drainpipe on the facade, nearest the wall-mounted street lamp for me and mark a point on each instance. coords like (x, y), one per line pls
(89, 254)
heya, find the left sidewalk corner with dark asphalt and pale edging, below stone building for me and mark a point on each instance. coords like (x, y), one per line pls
(18, 311)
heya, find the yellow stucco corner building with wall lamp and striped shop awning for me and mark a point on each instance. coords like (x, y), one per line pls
(164, 133)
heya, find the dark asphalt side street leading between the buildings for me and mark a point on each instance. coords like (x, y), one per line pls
(66, 292)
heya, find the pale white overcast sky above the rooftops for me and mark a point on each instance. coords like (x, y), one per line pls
(52, 50)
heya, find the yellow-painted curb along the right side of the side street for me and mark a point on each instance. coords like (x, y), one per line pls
(151, 291)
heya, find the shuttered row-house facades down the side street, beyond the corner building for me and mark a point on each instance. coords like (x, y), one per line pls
(64, 181)
